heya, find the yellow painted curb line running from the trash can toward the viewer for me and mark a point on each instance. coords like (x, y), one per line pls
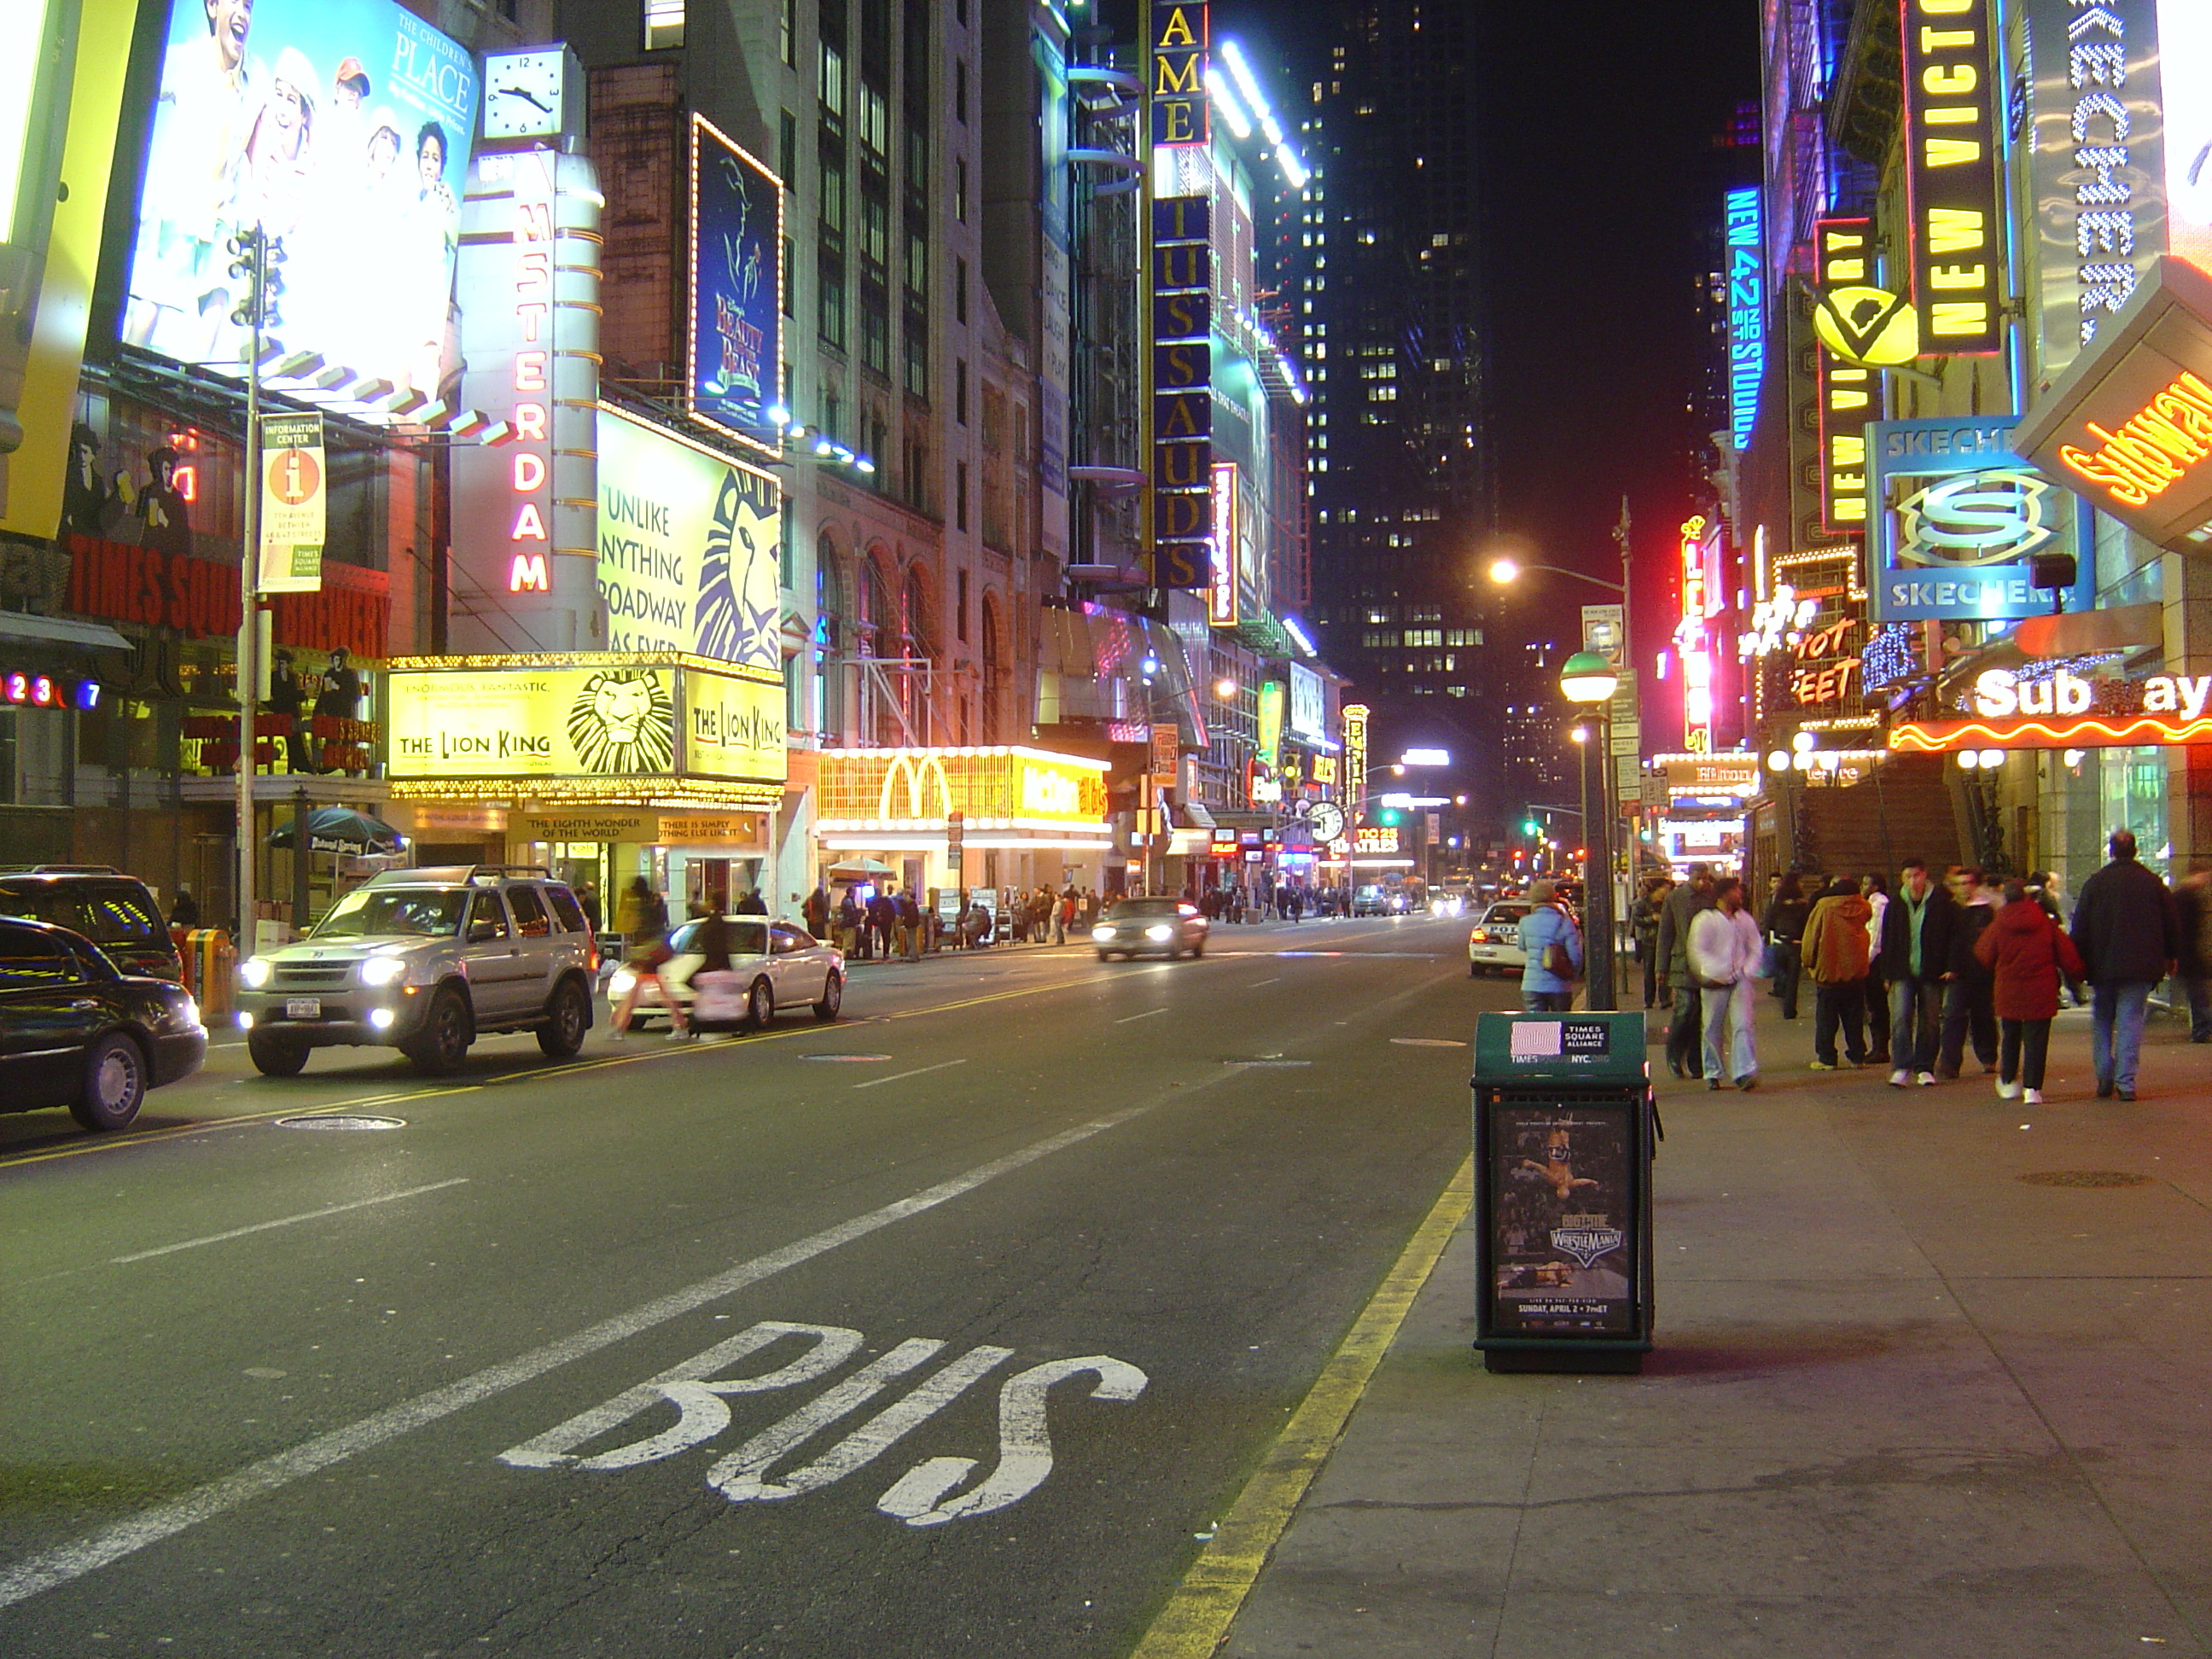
(1198, 1616)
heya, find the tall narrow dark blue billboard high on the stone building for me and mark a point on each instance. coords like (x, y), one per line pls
(735, 346)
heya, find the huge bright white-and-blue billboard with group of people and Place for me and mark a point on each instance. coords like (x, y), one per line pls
(344, 129)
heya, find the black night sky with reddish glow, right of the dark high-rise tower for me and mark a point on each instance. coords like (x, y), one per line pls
(1598, 171)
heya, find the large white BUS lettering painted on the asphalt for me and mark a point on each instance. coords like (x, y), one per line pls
(926, 1496)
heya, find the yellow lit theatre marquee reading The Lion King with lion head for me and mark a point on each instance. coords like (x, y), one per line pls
(594, 727)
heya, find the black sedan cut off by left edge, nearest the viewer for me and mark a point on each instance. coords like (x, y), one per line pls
(79, 1034)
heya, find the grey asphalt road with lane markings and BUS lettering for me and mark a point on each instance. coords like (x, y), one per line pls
(941, 1331)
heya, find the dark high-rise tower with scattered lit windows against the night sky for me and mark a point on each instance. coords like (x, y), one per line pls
(1386, 291)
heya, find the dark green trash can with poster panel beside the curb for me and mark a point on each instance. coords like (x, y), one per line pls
(1565, 1127)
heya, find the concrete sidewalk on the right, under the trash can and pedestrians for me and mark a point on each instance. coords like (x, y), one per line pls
(1903, 1401)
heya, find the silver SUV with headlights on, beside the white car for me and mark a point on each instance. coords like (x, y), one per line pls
(421, 961)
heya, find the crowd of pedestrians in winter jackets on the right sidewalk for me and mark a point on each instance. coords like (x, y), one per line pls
(1917, 979)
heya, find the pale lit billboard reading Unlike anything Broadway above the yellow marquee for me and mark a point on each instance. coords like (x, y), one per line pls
(689, 547)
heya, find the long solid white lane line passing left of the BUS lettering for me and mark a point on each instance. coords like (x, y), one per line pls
(109, 1545)
